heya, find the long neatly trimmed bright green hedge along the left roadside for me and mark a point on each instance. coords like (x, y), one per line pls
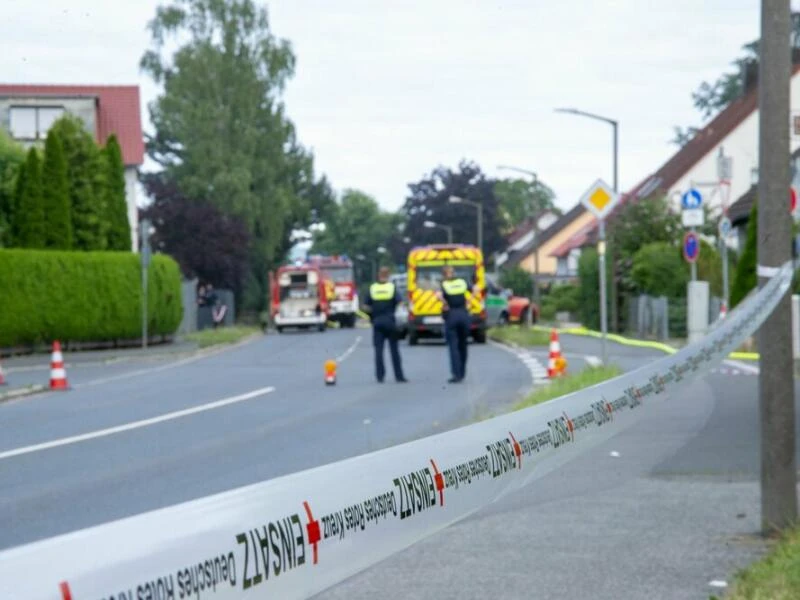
(84, 296)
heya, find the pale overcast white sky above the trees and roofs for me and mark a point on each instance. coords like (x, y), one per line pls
(386, 91)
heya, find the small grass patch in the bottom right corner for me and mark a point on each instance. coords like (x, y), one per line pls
(774, 577)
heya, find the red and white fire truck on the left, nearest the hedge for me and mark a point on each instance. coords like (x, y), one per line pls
(299, 298)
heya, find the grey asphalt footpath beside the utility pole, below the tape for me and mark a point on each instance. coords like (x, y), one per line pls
(673, 516)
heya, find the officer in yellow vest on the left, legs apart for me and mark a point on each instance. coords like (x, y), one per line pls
(381, 303)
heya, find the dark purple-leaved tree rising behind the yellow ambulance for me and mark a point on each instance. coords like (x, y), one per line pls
(429, 201)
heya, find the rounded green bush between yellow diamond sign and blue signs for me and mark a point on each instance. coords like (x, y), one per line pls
(659, 270)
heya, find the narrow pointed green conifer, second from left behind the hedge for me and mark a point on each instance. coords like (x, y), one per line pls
(55, 195)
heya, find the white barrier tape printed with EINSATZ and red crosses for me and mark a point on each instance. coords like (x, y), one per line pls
(294, 536)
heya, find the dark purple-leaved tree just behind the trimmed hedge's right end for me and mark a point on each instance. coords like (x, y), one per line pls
(204, 241)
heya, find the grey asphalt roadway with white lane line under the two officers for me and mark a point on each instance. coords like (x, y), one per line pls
(243, 416)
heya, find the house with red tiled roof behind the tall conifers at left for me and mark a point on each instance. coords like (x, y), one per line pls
(27, 112)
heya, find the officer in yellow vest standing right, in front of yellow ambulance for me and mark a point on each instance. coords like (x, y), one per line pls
(456, 321)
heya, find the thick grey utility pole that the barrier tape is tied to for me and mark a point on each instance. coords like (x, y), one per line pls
(776, 381)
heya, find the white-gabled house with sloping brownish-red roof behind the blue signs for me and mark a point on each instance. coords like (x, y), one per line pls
(721, 160)
